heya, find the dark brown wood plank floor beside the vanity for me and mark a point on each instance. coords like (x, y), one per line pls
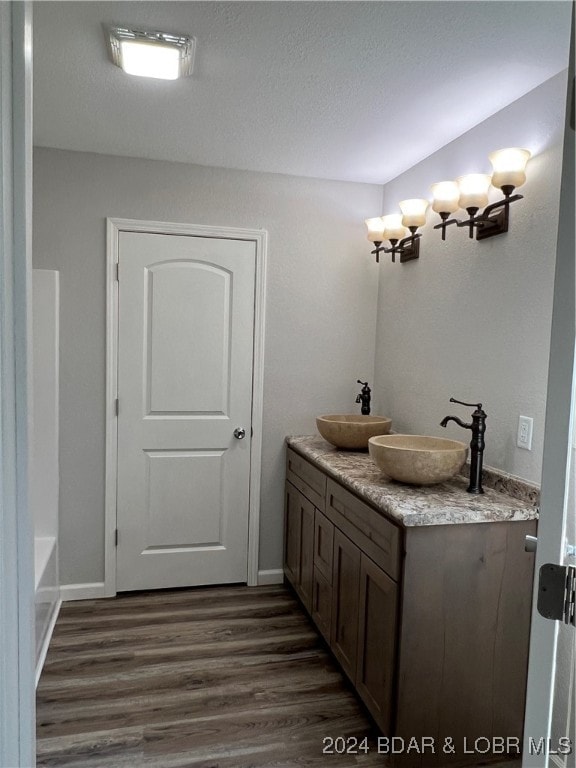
(227, 677)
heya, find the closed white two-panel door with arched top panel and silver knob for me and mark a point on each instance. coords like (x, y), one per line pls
(185, 352)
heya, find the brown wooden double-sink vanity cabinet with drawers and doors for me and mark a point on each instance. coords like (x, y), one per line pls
(429, 622)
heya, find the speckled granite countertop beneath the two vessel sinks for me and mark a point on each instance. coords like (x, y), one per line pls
(505, 497)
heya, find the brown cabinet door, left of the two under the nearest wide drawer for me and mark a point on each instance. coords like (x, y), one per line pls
(345, 586)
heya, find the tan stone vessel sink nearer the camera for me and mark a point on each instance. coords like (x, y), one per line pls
(417, 459)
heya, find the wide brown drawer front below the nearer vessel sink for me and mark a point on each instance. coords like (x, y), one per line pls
(373, 533)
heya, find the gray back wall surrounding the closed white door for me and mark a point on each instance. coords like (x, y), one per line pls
(321, 305)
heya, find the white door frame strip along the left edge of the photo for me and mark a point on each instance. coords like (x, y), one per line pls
(17, 642)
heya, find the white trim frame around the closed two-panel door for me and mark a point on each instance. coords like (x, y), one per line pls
(259, 238)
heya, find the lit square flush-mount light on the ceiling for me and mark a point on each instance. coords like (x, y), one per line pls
(152, 54)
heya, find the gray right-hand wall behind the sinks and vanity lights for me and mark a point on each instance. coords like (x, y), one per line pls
(472, 319)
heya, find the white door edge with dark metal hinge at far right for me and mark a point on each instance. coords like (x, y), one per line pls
(549, 733)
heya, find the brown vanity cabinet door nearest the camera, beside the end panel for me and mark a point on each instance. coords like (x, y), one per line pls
(378, 606)
